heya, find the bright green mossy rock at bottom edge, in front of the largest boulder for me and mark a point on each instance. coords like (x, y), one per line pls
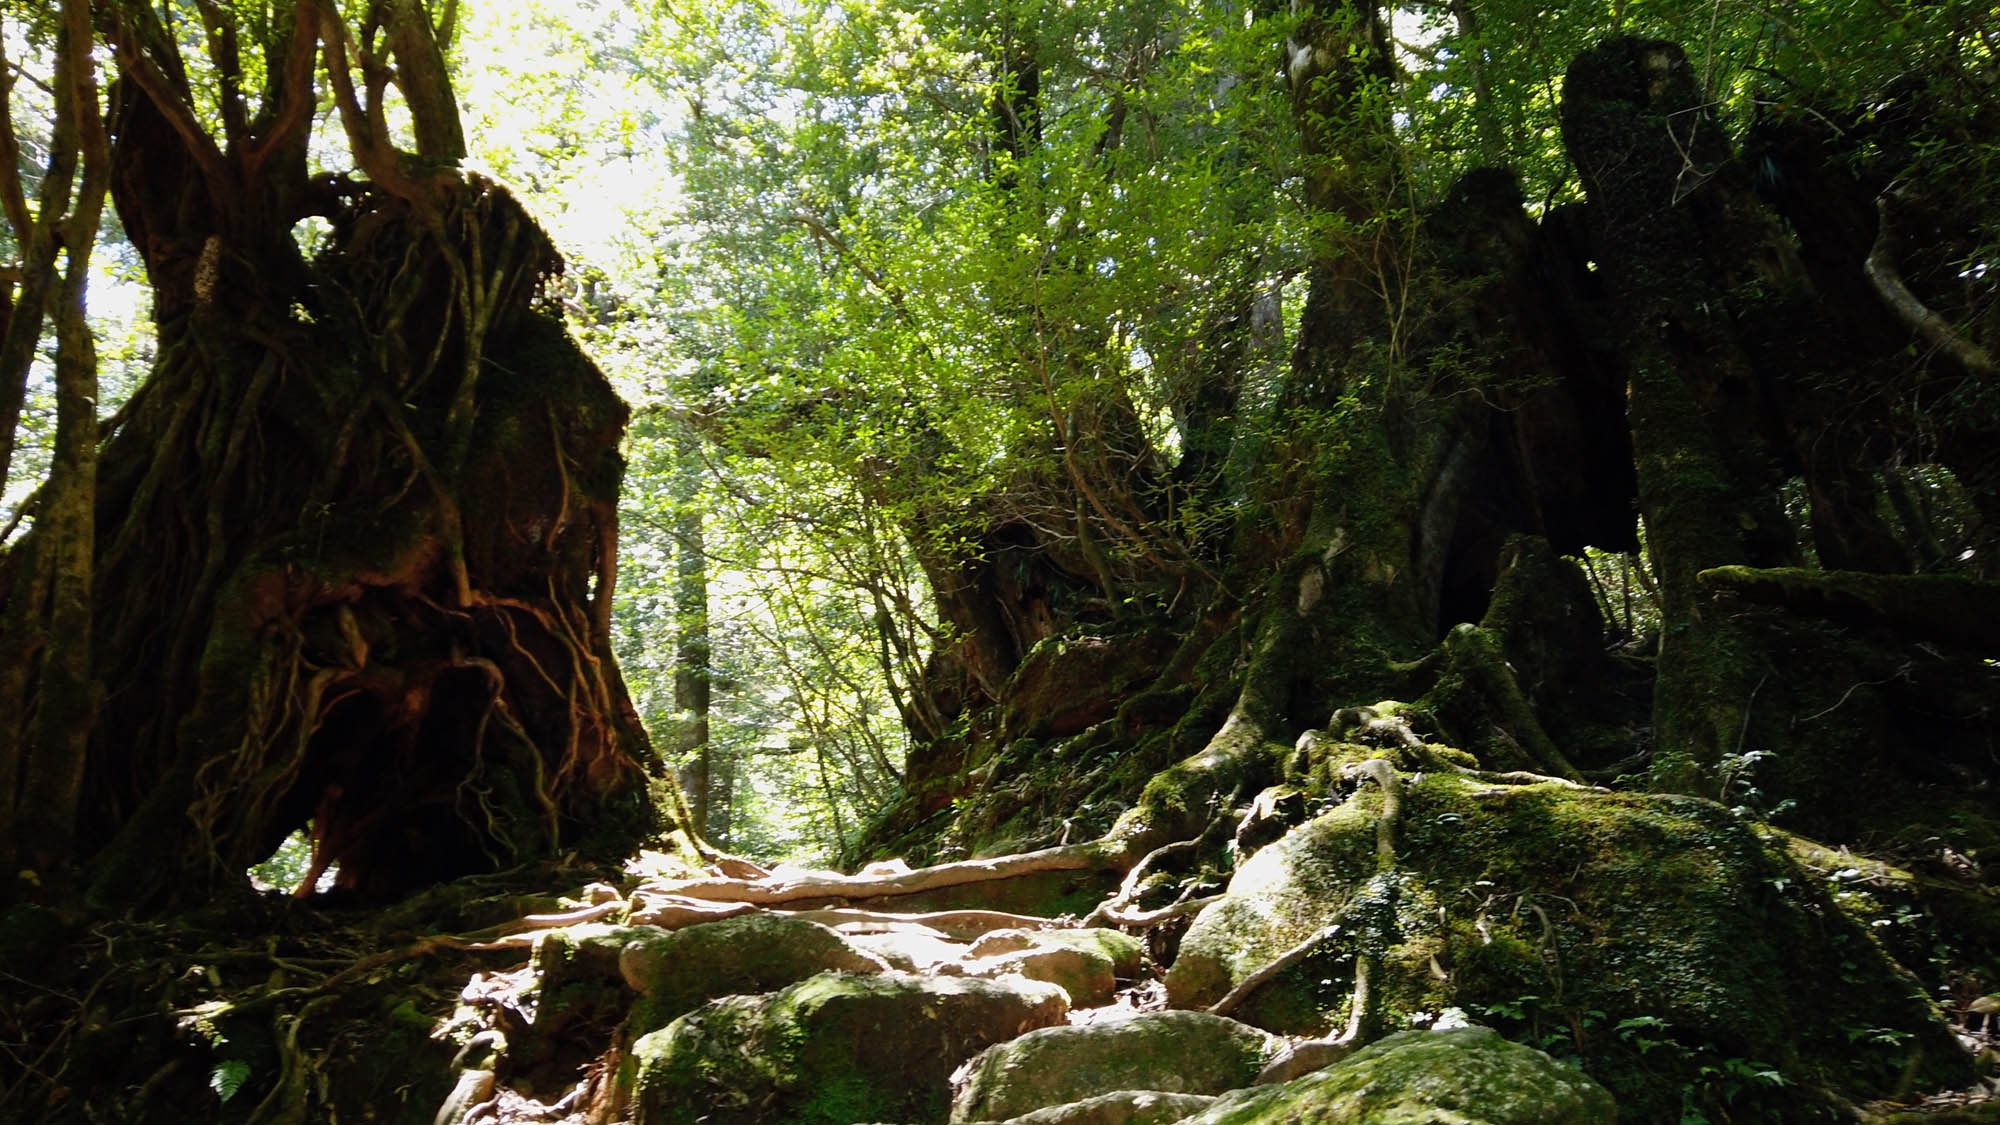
(1469, 1076)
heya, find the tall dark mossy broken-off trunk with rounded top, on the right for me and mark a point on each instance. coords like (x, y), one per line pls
(1707, 481)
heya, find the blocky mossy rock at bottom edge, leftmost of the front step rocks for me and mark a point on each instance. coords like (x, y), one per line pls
(831, 1050)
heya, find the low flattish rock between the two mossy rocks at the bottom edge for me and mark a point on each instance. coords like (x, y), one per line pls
(1175, 1052)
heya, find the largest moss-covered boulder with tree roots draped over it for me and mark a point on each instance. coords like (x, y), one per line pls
(1679, 954)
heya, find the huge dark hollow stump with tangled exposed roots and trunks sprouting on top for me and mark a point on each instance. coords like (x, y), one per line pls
(357, 533)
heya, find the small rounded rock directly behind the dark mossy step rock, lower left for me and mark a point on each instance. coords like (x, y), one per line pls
(681, 970)
